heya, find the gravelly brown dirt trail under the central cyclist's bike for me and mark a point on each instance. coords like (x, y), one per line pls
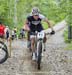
(56, 60)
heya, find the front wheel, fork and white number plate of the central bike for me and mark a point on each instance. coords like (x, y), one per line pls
(39, 47)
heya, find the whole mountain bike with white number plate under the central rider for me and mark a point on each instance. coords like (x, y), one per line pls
(39, 45)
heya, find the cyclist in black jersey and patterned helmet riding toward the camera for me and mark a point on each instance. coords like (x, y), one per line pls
(32, 24)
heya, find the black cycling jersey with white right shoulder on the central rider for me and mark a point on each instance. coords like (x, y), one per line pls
(35, 25)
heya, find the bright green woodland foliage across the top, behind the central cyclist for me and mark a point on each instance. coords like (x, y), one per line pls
(54, 10)
